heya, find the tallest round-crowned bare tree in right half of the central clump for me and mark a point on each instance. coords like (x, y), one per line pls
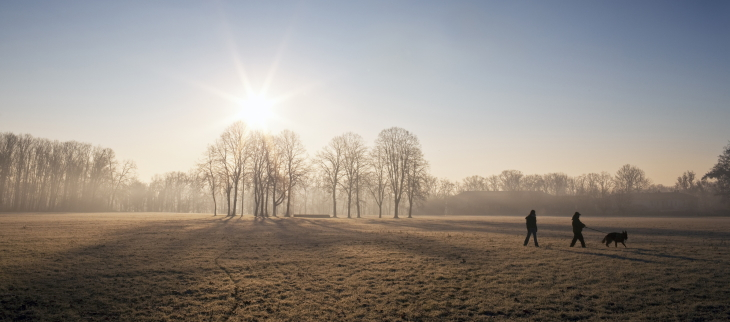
(399, 148)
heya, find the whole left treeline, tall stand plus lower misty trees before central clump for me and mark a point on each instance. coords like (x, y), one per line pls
(38, 174)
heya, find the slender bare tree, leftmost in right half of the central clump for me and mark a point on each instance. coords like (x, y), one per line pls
(329, 161)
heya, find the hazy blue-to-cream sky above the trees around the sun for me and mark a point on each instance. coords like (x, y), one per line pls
(537, 86)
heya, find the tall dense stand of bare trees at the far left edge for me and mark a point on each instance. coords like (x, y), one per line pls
(42, 175)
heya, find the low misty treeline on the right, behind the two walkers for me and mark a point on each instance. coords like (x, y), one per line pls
(628, 191)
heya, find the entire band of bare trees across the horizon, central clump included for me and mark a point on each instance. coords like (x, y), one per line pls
(252, 172)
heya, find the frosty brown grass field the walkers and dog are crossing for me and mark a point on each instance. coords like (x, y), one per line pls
(150, 266)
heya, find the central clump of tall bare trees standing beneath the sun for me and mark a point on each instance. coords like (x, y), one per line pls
(276, 169)
